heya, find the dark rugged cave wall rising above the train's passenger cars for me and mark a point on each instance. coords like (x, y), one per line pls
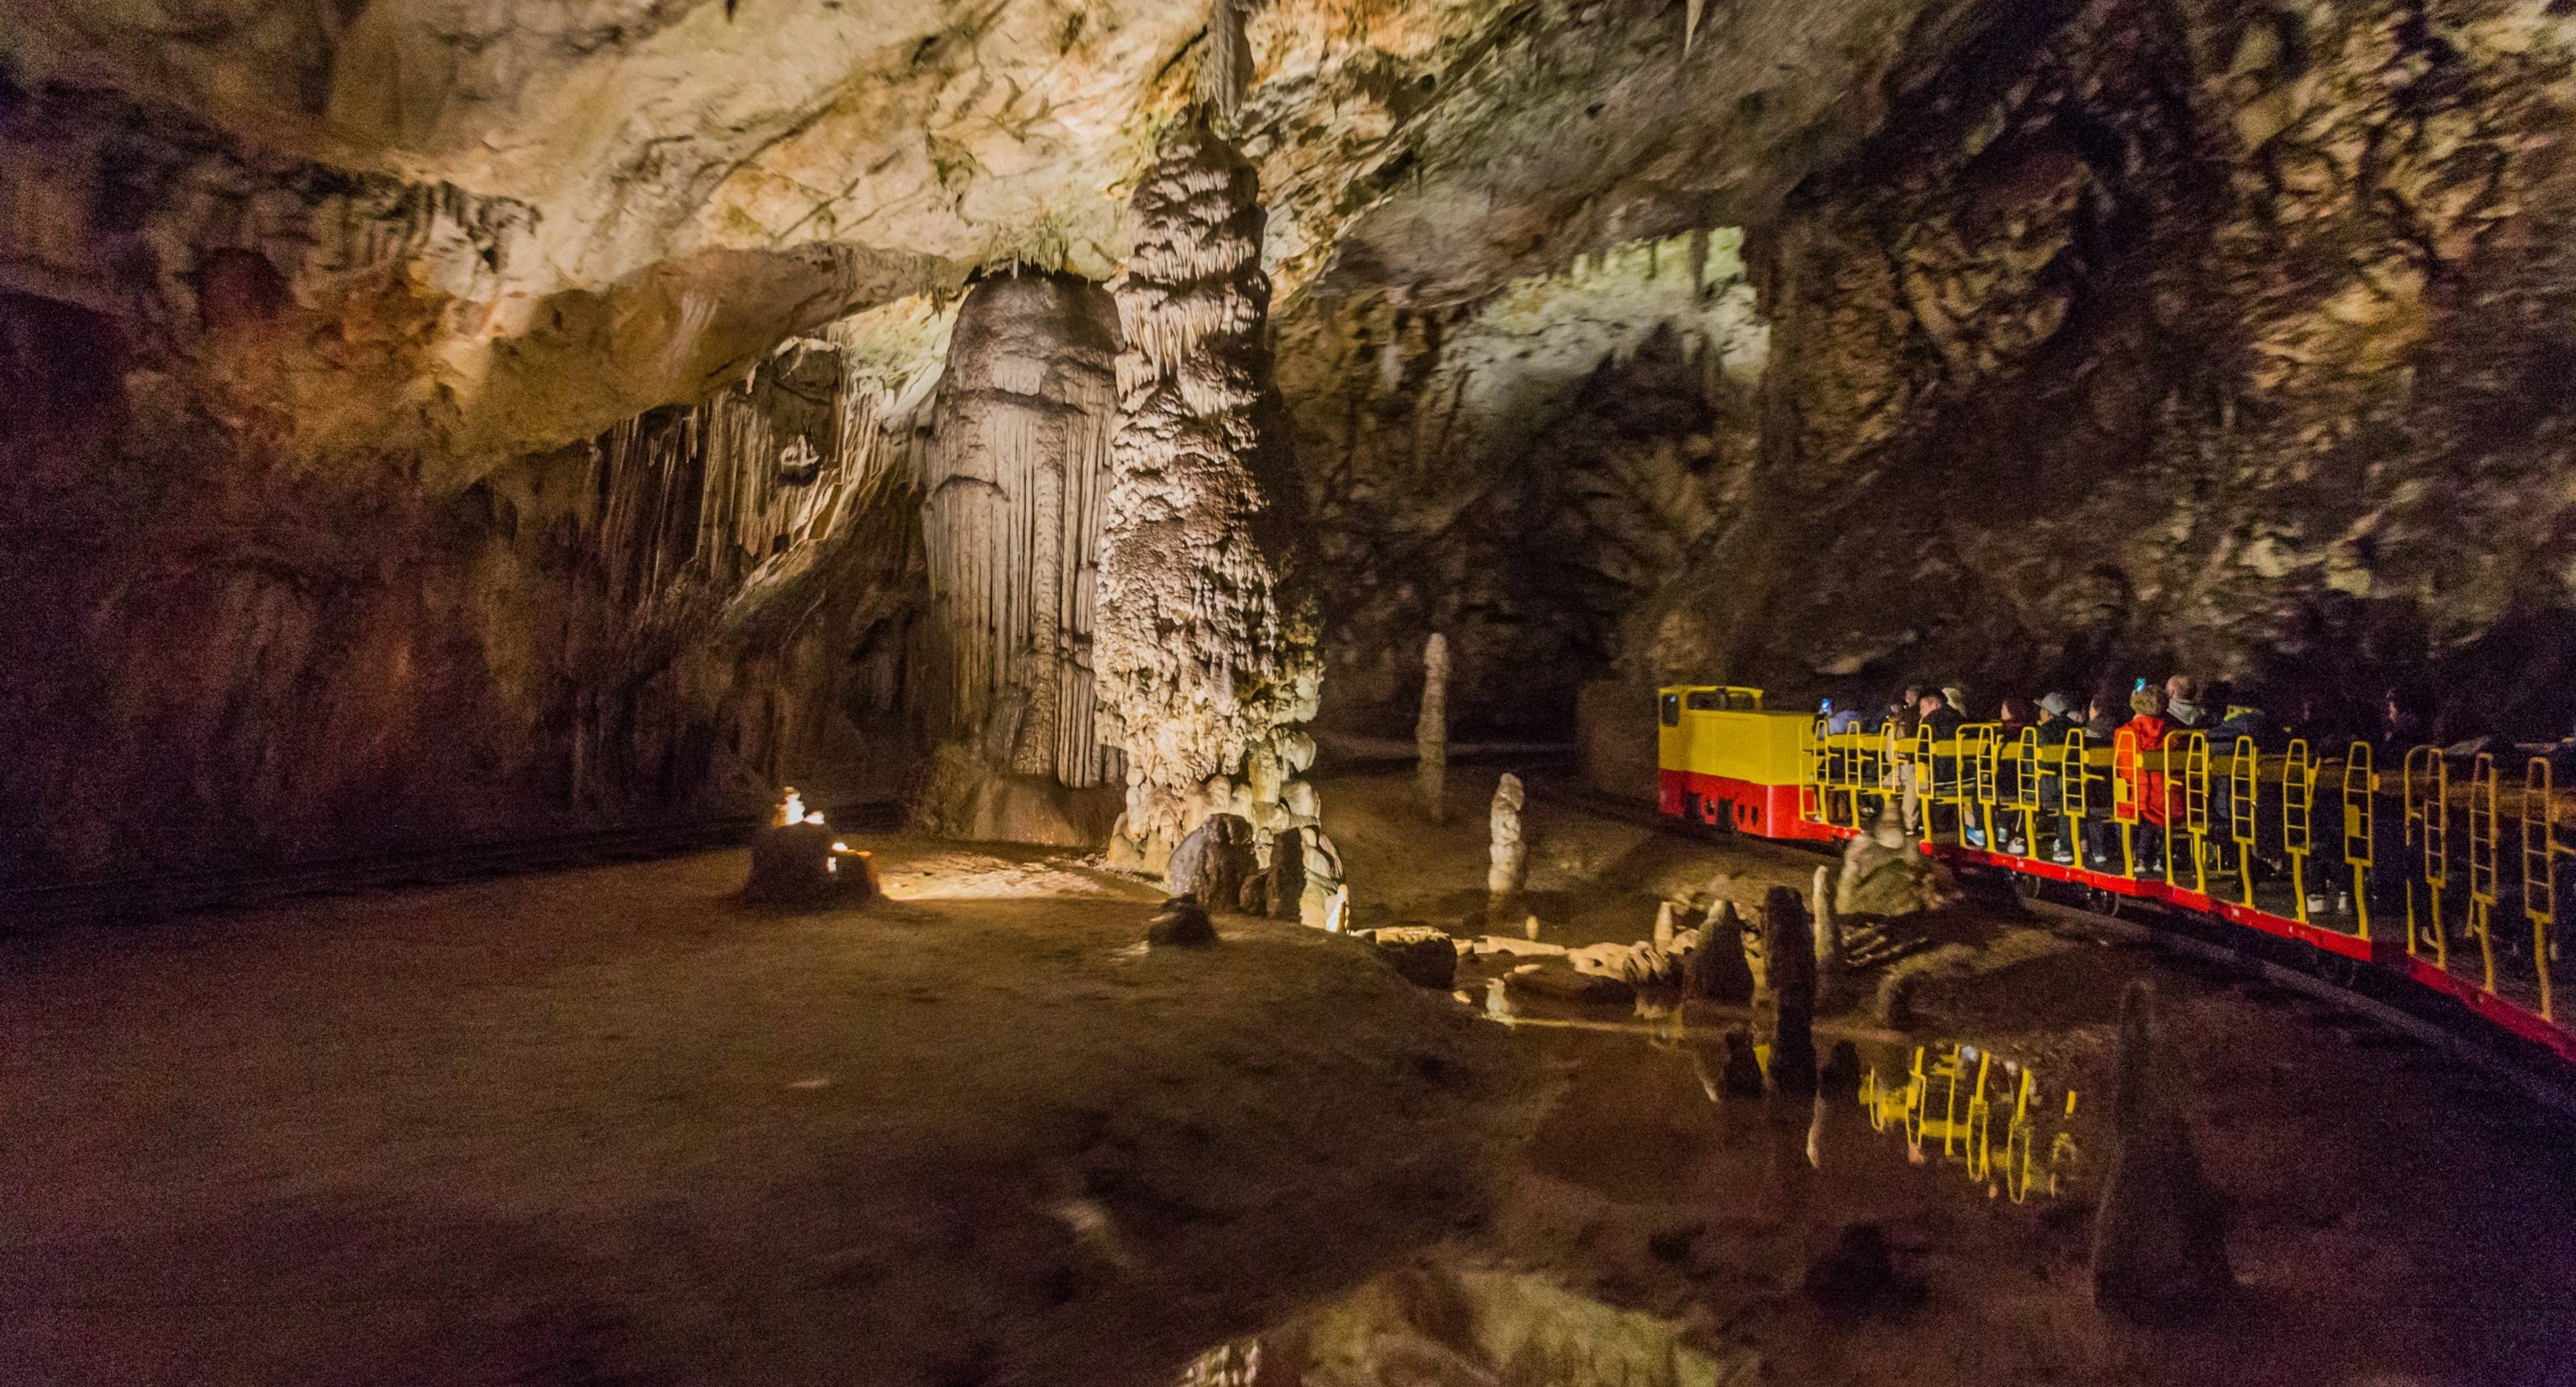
(2173, 336)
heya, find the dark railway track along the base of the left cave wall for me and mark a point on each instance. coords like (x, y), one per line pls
(151, 897)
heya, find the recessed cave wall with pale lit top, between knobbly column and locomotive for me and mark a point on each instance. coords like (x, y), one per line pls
(1516, 472)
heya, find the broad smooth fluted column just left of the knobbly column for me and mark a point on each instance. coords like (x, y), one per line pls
(1011, 519)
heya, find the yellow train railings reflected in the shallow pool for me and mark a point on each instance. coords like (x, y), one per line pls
(1946, 1103)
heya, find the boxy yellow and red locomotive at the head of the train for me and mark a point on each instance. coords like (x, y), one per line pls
(1730, 763)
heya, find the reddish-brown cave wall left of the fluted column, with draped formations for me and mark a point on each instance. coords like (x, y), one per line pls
(218, 655)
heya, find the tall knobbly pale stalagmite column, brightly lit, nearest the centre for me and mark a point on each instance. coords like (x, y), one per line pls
(1204, 670)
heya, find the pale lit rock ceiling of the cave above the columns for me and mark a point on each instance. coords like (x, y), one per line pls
(800, 161)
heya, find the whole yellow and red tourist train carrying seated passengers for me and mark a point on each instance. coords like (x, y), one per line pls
(2441, 871)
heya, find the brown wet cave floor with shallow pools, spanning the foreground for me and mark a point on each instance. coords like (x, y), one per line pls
(609, 1128)
